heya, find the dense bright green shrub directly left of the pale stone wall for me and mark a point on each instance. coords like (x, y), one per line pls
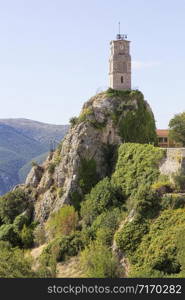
(137, 165)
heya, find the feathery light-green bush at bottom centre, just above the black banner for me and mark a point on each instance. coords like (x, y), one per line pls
(97, 261)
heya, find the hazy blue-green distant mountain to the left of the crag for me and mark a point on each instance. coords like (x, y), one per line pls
(22, 141)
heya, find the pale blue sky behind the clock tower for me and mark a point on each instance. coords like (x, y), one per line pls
(54, 55)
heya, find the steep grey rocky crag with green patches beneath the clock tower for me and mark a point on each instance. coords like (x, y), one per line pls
(88, 151)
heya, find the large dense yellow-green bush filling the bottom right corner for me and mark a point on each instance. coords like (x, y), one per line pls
(161, 249)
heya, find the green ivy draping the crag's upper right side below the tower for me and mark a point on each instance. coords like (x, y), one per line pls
(135, 125)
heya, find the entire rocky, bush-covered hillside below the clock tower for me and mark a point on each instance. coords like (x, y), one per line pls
(105, 203)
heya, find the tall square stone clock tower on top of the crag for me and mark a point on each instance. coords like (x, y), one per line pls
(120, 63)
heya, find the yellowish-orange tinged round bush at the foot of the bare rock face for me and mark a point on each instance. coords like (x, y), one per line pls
(62, 222)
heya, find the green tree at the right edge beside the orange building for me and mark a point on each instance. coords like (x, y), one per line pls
(177, 128)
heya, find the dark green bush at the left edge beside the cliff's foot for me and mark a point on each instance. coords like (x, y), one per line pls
(12, 204)
